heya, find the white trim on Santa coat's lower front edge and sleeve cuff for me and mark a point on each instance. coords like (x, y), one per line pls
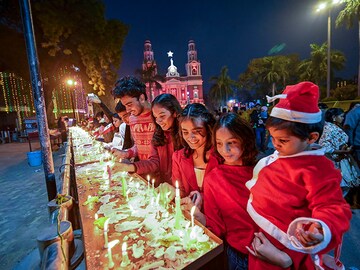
(289, 240)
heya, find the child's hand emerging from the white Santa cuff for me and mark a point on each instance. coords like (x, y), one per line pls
(309, 234)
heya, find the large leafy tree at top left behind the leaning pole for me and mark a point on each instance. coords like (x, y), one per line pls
(68, 34)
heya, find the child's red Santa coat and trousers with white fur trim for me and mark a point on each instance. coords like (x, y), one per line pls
(287, 190)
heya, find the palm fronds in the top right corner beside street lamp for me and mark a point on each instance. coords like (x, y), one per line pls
(347, 16)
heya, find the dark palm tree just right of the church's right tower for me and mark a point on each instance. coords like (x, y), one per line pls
(222, 87)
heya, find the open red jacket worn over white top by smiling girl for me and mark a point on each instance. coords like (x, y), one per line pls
(183, 171)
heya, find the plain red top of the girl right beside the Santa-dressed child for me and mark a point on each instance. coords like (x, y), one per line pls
(225, 199)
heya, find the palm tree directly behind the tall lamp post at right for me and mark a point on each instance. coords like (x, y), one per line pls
(315, 68)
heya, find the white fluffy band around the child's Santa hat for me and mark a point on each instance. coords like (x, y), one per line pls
(294, 116)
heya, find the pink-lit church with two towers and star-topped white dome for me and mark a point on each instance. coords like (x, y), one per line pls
(188, 88)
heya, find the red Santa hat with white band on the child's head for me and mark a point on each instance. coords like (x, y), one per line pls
(298, 103)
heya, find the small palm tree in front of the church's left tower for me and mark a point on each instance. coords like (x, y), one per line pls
(150, 77)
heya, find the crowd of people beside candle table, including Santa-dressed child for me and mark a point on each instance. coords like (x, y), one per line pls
(284, 211)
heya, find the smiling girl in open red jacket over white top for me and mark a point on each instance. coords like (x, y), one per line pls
(196, 159)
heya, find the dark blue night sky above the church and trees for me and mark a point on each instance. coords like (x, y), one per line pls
(227, 32)
